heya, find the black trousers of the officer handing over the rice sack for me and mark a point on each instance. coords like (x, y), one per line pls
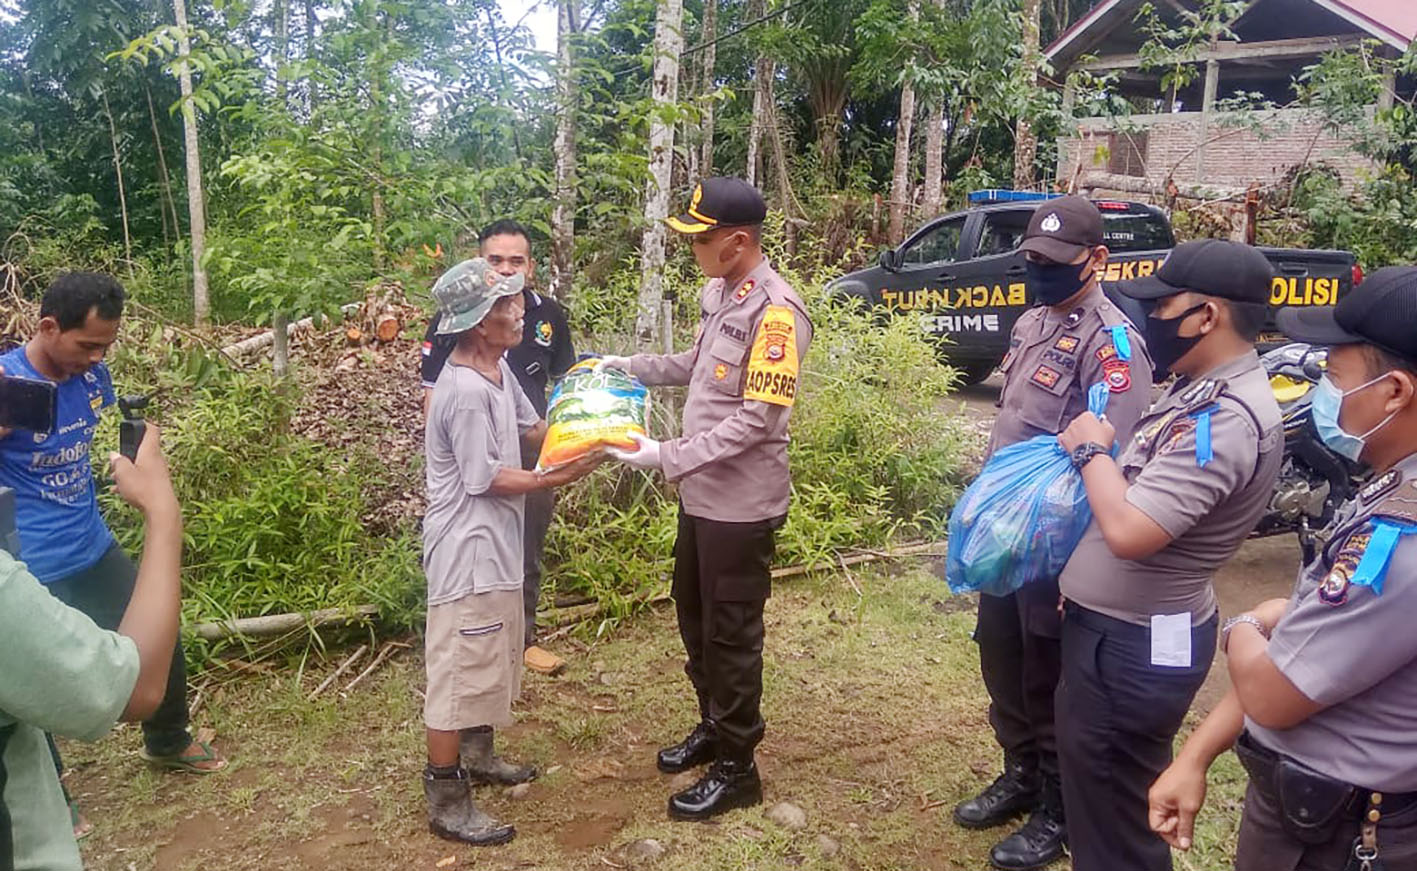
(722, 583)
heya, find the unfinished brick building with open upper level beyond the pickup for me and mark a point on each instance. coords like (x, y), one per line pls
(1185, 138)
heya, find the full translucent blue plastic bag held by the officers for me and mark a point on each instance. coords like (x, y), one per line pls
(1022, 518)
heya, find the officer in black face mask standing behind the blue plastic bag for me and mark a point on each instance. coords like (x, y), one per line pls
(1073, 339)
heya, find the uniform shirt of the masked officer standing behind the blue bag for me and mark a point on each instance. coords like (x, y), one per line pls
(1055, 359)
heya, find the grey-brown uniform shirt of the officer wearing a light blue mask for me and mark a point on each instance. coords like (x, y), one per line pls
(1347, 641)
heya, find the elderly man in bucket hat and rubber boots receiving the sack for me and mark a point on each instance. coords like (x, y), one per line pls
(473, 547)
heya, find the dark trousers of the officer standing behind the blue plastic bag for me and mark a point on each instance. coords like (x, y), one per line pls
(1021, 659)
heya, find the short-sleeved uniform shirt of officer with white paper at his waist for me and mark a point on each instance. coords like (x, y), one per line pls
(1207, 501)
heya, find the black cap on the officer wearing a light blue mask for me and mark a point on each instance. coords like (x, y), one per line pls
(1381, 312)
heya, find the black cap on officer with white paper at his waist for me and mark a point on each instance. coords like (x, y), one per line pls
(1212, 267)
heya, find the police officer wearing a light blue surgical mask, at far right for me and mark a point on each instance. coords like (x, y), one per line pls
(1324, 707)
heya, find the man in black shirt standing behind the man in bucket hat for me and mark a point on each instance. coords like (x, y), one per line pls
(546, 352)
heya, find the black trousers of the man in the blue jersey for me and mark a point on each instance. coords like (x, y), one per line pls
(103, 593)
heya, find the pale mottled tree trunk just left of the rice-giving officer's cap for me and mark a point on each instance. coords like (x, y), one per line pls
(654, 315)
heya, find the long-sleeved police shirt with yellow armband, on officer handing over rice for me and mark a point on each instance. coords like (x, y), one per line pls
(743, 373)
